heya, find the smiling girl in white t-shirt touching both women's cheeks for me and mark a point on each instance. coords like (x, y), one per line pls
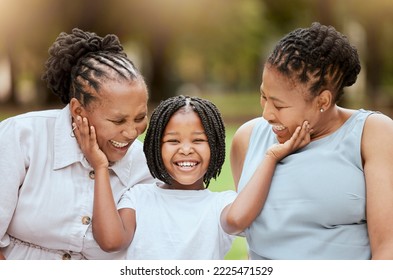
(179, 218)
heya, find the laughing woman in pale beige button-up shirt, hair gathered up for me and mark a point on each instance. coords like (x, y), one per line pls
(46, 202)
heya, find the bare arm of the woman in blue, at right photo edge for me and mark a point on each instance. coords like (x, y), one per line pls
(377, 154)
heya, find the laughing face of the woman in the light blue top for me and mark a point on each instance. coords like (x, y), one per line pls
(284, 104)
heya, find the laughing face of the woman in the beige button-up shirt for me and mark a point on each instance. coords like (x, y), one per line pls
(119, 115)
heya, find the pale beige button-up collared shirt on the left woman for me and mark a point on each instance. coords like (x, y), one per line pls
(46, 188)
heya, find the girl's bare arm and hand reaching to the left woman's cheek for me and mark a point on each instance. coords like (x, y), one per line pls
(112, 229)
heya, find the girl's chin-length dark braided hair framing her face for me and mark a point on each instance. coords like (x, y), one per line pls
(213, 125)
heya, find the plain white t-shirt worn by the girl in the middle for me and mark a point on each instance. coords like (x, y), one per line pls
(177, 224)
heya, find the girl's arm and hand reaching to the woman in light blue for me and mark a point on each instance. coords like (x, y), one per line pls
(239, 215)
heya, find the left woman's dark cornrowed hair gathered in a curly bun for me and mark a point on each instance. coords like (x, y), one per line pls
(82, 60)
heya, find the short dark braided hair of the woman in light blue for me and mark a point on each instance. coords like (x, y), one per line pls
(319, 55)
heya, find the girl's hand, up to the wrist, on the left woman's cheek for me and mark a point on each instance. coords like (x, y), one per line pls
(87, 140)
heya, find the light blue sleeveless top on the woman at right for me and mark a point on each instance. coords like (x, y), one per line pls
(316, 207)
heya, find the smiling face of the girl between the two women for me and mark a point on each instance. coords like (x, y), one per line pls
(185, 150)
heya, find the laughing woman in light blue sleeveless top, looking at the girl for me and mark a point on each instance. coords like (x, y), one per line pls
(332, 199)
